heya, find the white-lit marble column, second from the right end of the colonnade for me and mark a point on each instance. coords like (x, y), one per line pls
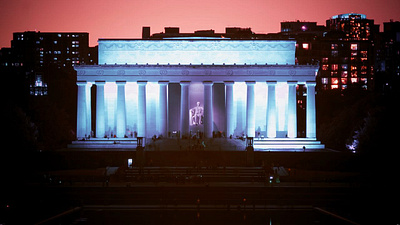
(292, 110)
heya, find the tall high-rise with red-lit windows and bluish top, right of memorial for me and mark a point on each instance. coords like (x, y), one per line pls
(347, 52)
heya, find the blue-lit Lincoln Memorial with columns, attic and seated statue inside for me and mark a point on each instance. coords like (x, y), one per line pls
(180, 87)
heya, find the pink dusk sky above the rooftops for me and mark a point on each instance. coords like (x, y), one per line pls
(125, 18)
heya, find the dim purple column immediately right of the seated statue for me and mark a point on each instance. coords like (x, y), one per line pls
(208, 109)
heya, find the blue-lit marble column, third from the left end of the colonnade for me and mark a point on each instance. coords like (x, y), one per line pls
(121, 109)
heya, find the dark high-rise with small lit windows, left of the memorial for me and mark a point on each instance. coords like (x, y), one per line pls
(35, 57)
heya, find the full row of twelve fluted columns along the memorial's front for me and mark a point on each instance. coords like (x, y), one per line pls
(83, 109)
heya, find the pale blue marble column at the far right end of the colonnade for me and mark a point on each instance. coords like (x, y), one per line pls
(311, 125)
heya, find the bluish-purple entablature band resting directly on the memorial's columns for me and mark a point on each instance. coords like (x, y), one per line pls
(197, 73)
